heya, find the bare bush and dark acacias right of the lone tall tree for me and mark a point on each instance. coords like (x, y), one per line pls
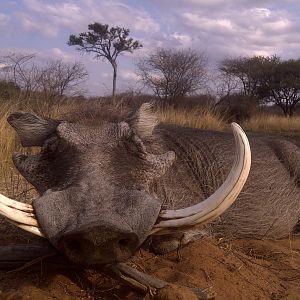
(238, 83)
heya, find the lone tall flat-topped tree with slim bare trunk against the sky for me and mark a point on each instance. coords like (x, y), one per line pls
(106, 43)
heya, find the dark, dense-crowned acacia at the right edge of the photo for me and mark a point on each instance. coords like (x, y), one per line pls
(268, 79)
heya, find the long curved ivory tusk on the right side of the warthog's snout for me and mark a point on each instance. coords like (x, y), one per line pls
(221, 200)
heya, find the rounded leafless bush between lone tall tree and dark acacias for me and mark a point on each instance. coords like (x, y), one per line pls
(173, 73)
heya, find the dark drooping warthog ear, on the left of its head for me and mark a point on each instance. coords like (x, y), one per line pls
(32, 130)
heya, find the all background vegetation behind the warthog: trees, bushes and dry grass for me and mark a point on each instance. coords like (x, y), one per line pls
(260, 93)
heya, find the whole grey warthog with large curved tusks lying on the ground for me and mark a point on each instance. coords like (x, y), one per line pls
(106, 185)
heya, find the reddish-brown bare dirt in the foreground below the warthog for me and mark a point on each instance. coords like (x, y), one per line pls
(242, 269)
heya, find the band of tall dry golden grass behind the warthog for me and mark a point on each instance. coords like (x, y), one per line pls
(207, 116)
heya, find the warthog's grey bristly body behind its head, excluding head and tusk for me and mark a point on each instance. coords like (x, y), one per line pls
(269, 204)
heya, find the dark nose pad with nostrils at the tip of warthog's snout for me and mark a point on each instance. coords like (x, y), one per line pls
(99, 244)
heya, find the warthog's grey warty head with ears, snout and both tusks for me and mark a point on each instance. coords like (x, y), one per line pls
(94, 204)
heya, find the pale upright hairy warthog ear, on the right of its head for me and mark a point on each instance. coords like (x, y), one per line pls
(144, 120)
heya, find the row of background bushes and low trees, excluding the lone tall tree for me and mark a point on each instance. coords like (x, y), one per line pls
(180, 77)
